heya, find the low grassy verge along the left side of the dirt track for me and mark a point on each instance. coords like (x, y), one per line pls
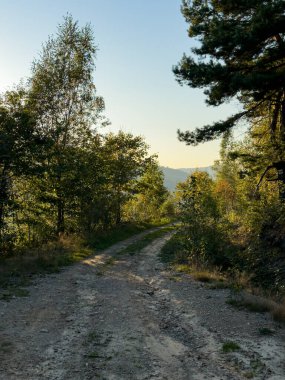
(18, 271)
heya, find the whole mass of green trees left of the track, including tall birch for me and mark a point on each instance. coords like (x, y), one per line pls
(58, 175)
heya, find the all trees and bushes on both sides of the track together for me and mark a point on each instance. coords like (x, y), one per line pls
(62, 176)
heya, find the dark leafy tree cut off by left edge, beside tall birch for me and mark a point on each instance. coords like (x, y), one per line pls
(20, 144)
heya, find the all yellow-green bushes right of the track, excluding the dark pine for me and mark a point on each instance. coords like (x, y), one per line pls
(224, 223)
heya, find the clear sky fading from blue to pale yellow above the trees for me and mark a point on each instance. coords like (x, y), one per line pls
(139, 41)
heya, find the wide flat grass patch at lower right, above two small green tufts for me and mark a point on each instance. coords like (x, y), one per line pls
(251, 303)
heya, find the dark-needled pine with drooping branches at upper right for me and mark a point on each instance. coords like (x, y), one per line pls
(241, 53)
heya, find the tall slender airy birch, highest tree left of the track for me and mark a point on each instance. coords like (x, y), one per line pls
(64, 103)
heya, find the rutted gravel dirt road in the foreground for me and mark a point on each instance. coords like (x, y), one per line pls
(120, 317)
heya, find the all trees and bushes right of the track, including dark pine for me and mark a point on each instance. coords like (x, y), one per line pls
(235, 222)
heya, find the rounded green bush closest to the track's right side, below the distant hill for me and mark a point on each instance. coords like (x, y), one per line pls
(202, 231)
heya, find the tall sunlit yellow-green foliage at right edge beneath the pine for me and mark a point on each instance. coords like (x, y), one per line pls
(255, 224)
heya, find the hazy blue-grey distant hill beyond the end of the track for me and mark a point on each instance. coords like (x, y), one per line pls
(173, 176)
